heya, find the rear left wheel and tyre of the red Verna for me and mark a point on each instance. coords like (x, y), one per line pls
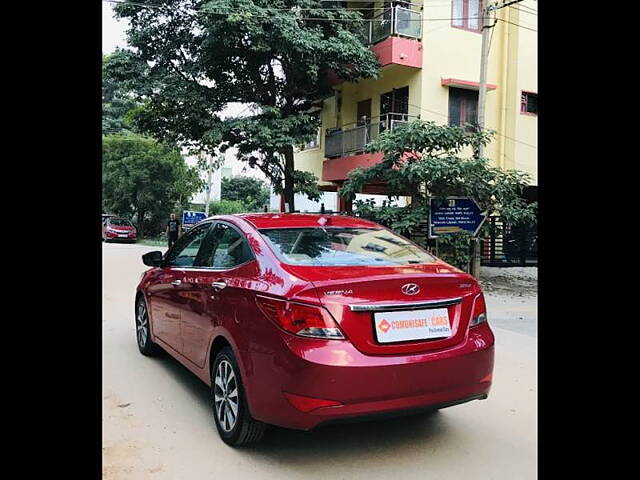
(235, 424)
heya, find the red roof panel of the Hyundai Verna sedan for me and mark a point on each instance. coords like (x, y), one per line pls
(299, 220)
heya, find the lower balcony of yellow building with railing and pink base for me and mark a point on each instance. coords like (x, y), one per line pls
(344, 148)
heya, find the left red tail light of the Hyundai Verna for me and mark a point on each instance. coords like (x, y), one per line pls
(300, 319)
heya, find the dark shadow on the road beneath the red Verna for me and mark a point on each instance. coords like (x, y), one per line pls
(349, 442)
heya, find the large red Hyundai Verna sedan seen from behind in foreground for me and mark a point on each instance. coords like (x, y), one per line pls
(300, 320)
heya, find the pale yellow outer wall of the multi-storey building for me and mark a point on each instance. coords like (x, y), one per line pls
(450, 52)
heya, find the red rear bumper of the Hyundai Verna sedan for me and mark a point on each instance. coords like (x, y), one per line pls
(366, 385)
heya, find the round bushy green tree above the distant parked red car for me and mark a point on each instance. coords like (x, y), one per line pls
(145, 179)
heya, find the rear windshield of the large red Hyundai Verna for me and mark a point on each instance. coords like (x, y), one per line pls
(343, 246)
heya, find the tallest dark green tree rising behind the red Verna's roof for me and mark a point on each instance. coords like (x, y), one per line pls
(192, 57)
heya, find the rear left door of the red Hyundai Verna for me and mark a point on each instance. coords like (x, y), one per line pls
(217, 295)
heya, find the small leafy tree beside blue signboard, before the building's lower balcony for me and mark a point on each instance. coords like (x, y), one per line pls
(422, 159)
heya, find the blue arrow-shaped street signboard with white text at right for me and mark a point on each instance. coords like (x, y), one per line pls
(454, 214)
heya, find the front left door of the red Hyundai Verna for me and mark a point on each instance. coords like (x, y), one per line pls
(170, 292)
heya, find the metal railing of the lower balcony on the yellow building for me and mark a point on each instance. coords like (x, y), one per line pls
(351, 140)
